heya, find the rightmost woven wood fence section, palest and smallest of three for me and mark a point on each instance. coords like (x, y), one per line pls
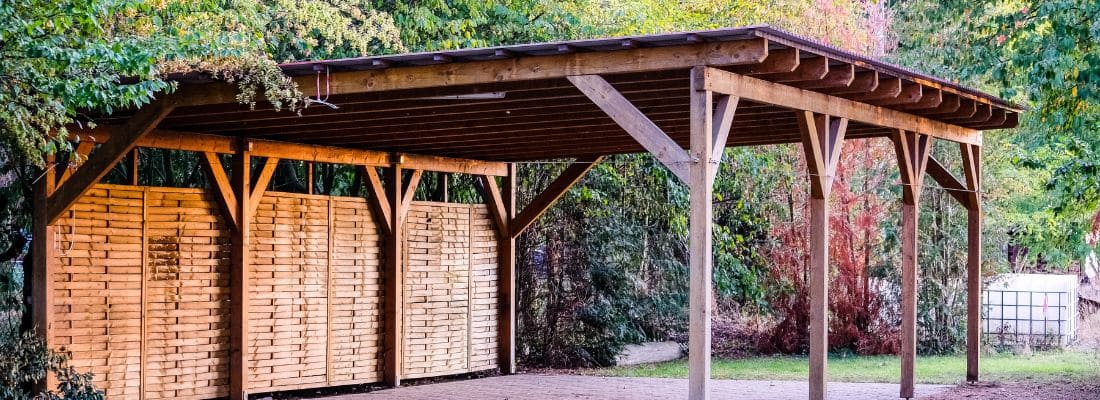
(449, 298)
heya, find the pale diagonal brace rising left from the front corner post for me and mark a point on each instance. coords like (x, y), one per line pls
(635, 124)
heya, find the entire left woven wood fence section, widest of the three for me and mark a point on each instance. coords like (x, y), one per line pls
(103, 292)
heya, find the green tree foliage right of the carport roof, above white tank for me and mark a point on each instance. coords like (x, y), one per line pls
(1044, 175)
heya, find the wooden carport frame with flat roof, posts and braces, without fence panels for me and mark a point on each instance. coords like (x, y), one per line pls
(681, 97)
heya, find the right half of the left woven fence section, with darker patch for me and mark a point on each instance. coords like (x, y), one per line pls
(186, 294)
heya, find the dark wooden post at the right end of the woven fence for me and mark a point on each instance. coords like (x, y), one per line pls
(507, 258)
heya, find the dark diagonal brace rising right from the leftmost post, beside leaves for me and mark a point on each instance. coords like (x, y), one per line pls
(109, 154)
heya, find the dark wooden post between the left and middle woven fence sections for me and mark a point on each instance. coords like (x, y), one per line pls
(241, 258)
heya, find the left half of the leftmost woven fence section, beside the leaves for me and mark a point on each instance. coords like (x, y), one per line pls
(98, 283)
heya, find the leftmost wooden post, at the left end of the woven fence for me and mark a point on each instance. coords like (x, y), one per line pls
(45, 264)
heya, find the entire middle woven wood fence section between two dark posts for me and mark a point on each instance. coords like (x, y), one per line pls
(314, 258)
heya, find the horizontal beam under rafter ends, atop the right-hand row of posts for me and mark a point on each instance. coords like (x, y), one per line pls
(799, 99)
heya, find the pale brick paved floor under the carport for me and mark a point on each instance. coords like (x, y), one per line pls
(546, 387)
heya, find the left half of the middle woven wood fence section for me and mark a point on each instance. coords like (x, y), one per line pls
(289, 310)
